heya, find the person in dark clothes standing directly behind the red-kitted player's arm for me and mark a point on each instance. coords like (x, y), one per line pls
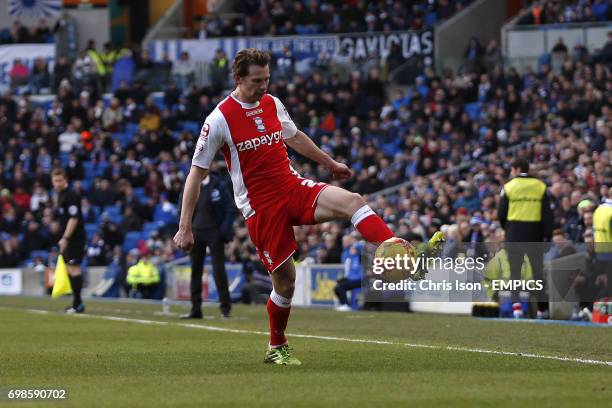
(213, 220)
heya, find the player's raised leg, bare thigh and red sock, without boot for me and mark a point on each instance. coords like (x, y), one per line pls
(337, 203)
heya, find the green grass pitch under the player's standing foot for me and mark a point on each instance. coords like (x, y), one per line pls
(128, 363)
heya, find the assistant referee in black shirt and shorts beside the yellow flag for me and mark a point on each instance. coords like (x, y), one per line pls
(72, 245)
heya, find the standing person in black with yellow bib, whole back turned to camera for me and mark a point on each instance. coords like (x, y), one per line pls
(525, 214)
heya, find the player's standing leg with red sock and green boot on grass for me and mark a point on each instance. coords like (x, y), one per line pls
(279, 308)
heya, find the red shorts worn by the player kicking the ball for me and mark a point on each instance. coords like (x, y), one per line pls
(271, 228)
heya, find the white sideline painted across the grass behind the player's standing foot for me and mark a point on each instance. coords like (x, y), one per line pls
(330, 338)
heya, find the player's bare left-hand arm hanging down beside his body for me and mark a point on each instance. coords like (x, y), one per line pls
(184, 236)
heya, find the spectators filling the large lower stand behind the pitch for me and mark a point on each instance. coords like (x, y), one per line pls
(128, 154)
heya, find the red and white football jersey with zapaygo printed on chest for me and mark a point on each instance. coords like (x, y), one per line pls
(251, 138)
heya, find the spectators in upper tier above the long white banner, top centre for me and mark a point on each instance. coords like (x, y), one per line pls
(289, 17)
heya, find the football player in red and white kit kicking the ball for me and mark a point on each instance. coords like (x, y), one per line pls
(251, 128)
